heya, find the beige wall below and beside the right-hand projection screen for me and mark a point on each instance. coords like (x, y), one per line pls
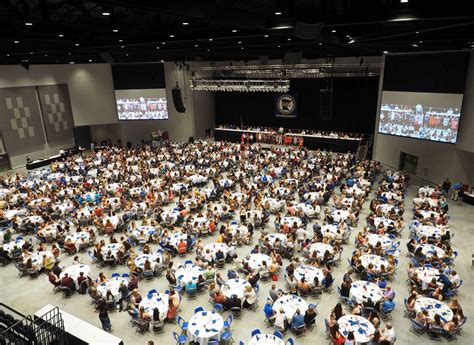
(436, 161)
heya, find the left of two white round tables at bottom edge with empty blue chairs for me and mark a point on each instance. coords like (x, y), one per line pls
(205, 325)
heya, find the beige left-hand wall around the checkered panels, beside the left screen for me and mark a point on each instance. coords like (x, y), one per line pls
(91, 92)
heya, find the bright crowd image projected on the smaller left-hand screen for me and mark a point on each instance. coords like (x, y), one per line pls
(142, 108)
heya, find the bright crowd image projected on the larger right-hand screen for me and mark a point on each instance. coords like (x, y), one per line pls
(420, 122)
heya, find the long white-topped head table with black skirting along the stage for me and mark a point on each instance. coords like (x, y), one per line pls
(312, 142)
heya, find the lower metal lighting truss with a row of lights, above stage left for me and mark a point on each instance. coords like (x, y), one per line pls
(247, 85)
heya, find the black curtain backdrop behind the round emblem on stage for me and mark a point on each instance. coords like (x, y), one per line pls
(354, 106)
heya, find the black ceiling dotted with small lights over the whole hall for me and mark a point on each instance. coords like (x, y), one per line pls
(76, 31)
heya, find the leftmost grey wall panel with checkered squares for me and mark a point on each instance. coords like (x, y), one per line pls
(20, 119)
